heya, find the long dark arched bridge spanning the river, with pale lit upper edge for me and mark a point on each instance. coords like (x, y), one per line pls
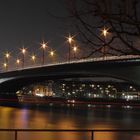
(125, 68)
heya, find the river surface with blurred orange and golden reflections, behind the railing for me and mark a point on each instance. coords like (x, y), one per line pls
(69, 118)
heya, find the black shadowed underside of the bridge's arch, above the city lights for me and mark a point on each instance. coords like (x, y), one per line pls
(13, 85)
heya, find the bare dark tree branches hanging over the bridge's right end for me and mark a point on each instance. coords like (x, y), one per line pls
(120, 18)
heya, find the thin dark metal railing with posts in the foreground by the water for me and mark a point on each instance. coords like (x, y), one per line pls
(70, 131)
